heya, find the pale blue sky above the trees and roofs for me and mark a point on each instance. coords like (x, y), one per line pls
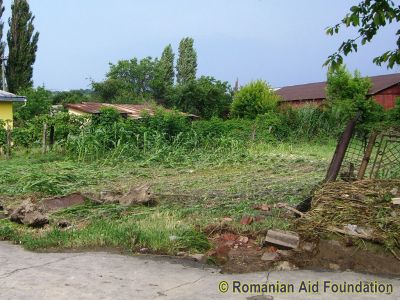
(280, 41)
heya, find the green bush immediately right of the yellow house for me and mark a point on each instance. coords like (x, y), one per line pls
(38, 103)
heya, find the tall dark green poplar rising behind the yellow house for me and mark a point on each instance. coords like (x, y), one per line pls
(22, 45)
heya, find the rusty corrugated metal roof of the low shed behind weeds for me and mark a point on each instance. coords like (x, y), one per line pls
(133, 111)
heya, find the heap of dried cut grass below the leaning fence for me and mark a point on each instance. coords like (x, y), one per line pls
(363, 209)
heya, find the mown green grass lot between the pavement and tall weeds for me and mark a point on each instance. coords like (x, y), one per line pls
(201, 190)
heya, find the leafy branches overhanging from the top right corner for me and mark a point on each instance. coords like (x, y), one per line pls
(369, 17)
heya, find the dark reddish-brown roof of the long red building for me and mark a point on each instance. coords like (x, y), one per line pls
(317, 90)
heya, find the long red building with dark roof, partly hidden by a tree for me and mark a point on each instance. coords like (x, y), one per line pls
(385, 90)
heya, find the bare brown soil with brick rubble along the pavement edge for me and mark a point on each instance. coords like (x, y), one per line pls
(328, 255)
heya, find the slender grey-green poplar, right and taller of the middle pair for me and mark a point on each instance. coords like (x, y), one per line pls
(187, 61)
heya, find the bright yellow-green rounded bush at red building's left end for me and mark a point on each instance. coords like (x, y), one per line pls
(254, 99)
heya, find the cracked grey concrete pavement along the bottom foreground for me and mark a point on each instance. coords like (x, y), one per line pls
(27, 275)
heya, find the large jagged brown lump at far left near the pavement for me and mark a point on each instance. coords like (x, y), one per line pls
(30, 214)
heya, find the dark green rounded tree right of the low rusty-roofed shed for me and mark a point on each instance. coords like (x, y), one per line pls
(205, 97)
